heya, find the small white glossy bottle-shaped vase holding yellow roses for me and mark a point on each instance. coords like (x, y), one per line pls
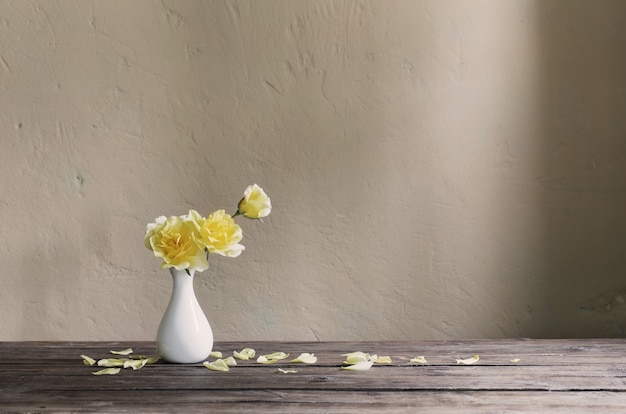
(184, 334)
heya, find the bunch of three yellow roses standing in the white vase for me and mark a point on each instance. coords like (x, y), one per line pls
(184, 242)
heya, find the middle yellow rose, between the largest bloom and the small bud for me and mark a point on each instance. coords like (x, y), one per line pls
(219, 233)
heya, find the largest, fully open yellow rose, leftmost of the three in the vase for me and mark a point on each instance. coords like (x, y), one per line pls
(174, 240)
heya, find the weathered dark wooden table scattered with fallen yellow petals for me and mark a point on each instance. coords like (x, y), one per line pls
(573, 376)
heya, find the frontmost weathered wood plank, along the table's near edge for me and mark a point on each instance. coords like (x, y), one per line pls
(303, 401)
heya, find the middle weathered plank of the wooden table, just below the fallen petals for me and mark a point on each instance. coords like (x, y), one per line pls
(320, 378)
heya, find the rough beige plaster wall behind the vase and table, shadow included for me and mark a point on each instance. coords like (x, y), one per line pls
(438, 168)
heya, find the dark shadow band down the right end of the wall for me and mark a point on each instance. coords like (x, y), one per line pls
(582, 184)
